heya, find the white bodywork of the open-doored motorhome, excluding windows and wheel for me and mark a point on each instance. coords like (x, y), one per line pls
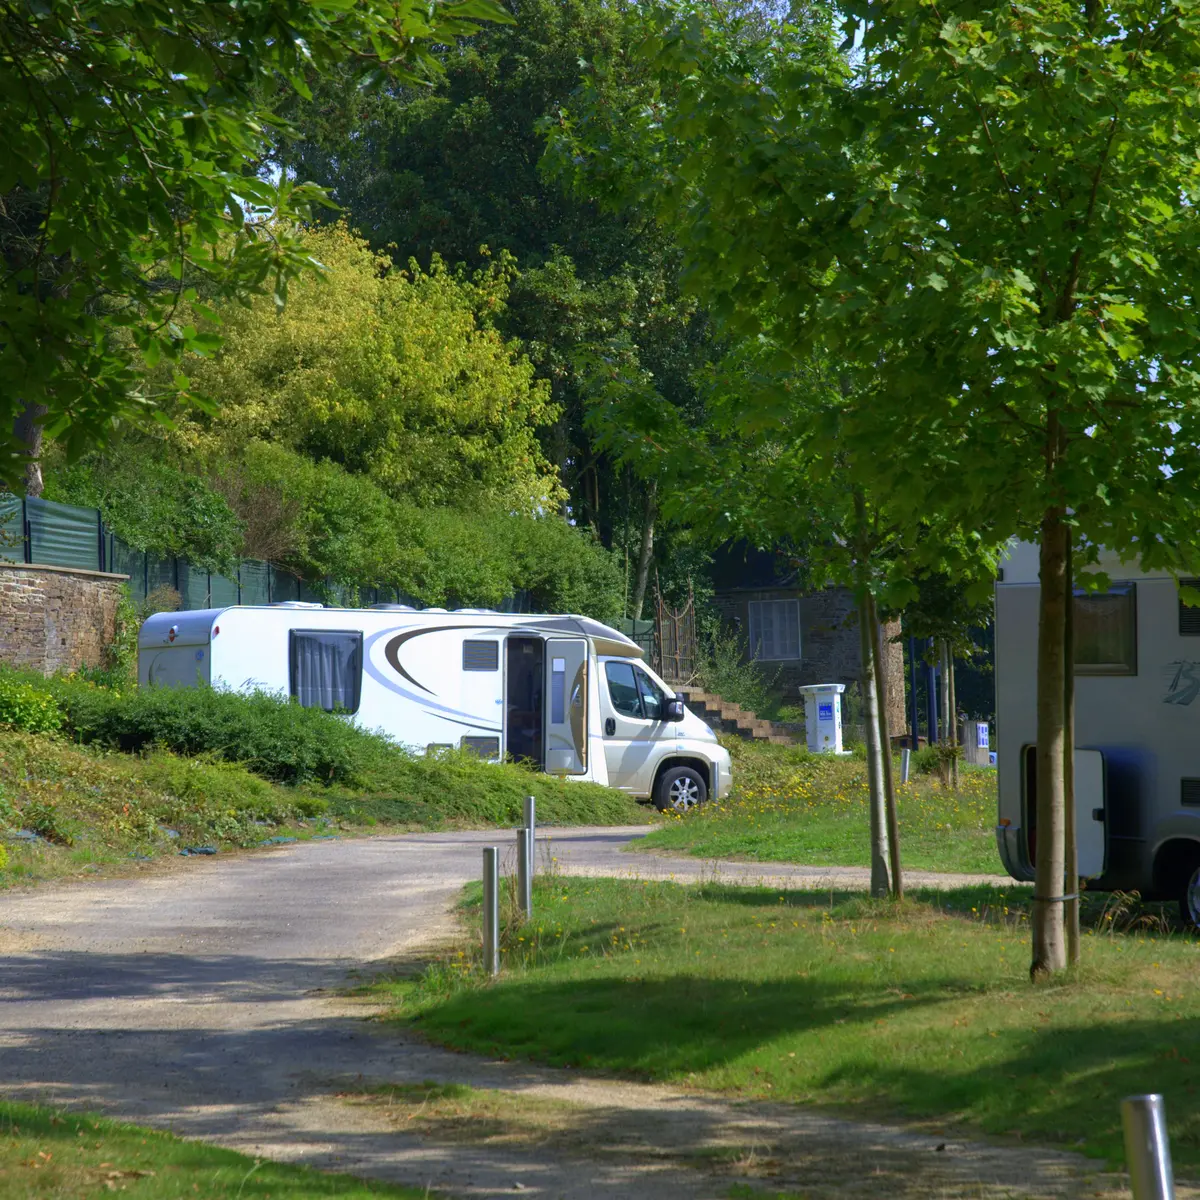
(424, 688)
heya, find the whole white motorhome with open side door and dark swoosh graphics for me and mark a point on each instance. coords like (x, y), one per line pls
(565, 693)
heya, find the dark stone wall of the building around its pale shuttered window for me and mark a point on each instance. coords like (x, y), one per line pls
(830, 649)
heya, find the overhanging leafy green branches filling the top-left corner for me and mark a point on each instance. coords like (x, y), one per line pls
(134, 136)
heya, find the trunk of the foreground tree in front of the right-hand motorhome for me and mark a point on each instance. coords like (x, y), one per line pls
(1049, 943)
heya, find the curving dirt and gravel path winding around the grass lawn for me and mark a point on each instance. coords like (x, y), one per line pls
(206, 1003)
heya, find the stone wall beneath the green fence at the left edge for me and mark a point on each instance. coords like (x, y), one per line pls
(57, 619)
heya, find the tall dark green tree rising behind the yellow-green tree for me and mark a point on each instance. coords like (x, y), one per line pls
(449, 171)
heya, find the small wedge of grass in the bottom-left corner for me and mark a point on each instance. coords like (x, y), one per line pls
(51, 1155)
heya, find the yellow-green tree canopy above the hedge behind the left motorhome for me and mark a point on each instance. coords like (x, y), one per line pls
(398, 375)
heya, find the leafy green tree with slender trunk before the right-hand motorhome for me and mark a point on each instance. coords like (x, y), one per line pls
(995, 209)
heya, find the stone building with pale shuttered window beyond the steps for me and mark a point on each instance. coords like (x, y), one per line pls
(800, 635)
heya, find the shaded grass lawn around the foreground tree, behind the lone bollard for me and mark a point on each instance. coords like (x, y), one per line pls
(922, 1011)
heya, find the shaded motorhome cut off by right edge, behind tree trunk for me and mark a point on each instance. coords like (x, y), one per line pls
(1137, 730)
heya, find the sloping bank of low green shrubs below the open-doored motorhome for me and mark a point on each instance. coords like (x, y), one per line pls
(93, 777)
